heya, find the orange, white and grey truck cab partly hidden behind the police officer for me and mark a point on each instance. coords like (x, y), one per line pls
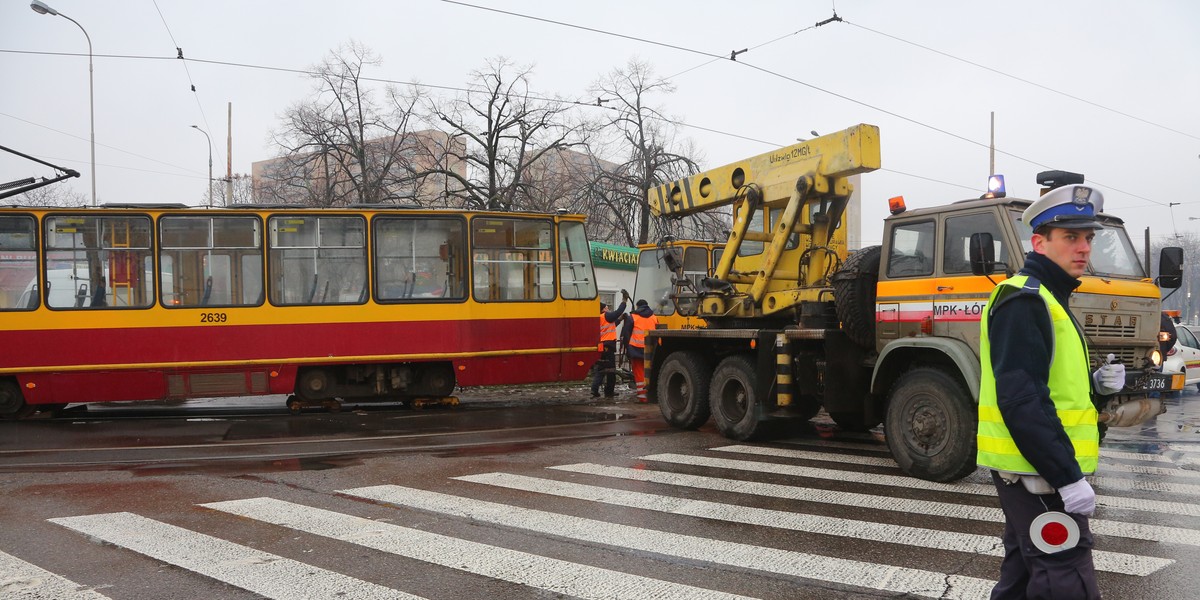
(931, 301)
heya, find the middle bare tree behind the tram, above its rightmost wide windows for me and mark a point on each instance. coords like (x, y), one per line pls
(505, 137)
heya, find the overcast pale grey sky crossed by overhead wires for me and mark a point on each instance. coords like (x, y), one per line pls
(1133, 70)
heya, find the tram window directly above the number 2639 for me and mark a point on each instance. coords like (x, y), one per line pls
(197, 257)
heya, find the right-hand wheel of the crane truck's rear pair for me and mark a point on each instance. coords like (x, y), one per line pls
(735, 401)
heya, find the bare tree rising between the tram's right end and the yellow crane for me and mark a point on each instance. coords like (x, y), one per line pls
(647, 141)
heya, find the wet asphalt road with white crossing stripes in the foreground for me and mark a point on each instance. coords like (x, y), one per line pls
(536, 494)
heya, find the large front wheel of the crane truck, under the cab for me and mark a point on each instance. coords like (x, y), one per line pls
(932, 427)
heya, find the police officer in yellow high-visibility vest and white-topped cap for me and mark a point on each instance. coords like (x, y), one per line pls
(1037, 418)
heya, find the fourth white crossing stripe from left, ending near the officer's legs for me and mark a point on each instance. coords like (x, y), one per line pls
(797, 565)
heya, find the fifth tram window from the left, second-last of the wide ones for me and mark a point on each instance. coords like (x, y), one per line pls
(419, 259)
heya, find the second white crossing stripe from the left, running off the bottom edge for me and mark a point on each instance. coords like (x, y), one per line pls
(265, 574)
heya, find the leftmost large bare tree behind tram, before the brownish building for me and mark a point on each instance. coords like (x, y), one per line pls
(344, 146)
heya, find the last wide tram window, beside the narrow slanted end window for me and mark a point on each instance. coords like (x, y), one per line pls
(513, 260)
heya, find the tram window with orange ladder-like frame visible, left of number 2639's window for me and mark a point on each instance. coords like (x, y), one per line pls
(94, 262)
